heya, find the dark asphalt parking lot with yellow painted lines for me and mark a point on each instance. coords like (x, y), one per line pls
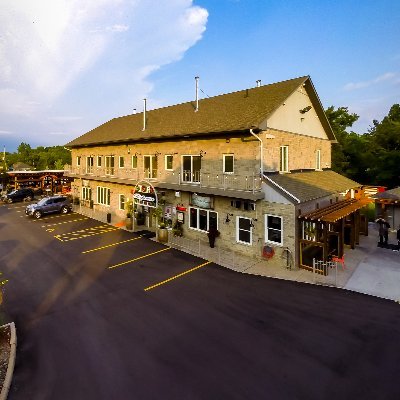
(102, 313)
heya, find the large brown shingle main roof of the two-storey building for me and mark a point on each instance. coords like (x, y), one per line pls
(232, 112)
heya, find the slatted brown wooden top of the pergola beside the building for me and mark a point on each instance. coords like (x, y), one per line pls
(336, 211)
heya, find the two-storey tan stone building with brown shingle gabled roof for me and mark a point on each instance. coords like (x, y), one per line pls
(249, 164)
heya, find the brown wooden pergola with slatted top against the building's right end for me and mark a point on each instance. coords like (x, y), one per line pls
(324, 232)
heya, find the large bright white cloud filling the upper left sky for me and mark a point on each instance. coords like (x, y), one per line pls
(56, 55)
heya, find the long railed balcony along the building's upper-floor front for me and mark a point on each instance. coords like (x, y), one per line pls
(191, 180)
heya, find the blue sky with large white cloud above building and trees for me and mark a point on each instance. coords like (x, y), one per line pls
(67, 66)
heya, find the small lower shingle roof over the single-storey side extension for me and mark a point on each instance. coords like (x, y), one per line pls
(311, 185)
